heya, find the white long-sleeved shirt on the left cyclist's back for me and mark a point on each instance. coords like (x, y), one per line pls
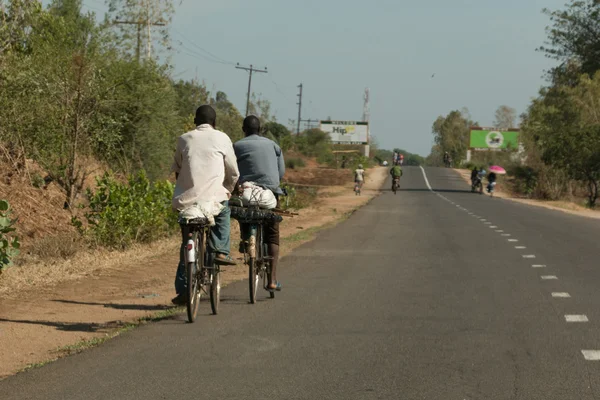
(207, 167)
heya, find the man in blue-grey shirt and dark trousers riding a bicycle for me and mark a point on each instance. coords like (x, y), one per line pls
(260, 160)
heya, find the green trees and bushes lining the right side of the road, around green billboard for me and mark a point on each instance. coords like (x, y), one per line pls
(560, 131)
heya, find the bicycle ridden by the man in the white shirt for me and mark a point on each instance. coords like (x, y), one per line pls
(202, 274)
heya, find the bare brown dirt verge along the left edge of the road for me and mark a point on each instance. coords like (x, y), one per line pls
(51, 310)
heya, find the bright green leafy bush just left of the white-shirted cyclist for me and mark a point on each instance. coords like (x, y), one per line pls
(121, 214)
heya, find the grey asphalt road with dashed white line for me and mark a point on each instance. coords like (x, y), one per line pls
(411, 298)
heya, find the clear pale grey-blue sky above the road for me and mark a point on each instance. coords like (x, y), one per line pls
(482, 52)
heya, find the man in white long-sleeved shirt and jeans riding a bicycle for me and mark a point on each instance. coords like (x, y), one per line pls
(206, 169)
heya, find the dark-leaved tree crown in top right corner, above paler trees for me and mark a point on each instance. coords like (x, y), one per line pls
(574, 40)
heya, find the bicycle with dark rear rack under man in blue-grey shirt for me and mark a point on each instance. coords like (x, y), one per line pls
(256, 253)
